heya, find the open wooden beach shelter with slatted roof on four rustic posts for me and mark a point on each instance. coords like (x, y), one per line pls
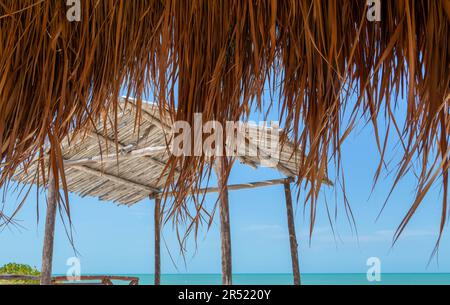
(137, 172)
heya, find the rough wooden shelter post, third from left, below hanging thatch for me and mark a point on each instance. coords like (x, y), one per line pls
(225, 234)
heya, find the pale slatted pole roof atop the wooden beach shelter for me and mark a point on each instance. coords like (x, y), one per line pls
(138, 171)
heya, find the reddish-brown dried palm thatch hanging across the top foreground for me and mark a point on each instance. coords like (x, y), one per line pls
(217, 57)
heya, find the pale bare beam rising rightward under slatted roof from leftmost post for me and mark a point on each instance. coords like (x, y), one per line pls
(143, 152)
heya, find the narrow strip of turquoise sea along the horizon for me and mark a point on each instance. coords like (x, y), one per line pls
(307, 279)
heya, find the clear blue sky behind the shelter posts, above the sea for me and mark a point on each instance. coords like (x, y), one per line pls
(114, 239)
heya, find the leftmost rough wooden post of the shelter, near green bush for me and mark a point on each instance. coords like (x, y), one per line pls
(47, 253)
